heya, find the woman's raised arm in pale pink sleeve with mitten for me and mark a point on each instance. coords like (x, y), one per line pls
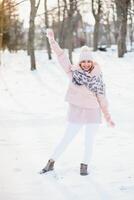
(61, 56)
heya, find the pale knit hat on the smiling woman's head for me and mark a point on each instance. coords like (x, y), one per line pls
(85, 54)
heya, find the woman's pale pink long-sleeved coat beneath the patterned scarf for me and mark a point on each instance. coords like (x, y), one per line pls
(80, 96)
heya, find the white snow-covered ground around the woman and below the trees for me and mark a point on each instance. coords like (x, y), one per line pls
(33, 119)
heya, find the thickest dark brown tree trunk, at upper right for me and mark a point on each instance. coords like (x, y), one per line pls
(122, 12)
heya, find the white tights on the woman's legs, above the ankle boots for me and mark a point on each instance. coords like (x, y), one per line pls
(71, 131)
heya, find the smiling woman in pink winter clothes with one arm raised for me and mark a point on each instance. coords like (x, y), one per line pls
(86, 98)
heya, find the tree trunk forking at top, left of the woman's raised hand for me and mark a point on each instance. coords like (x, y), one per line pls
(31, 34)
